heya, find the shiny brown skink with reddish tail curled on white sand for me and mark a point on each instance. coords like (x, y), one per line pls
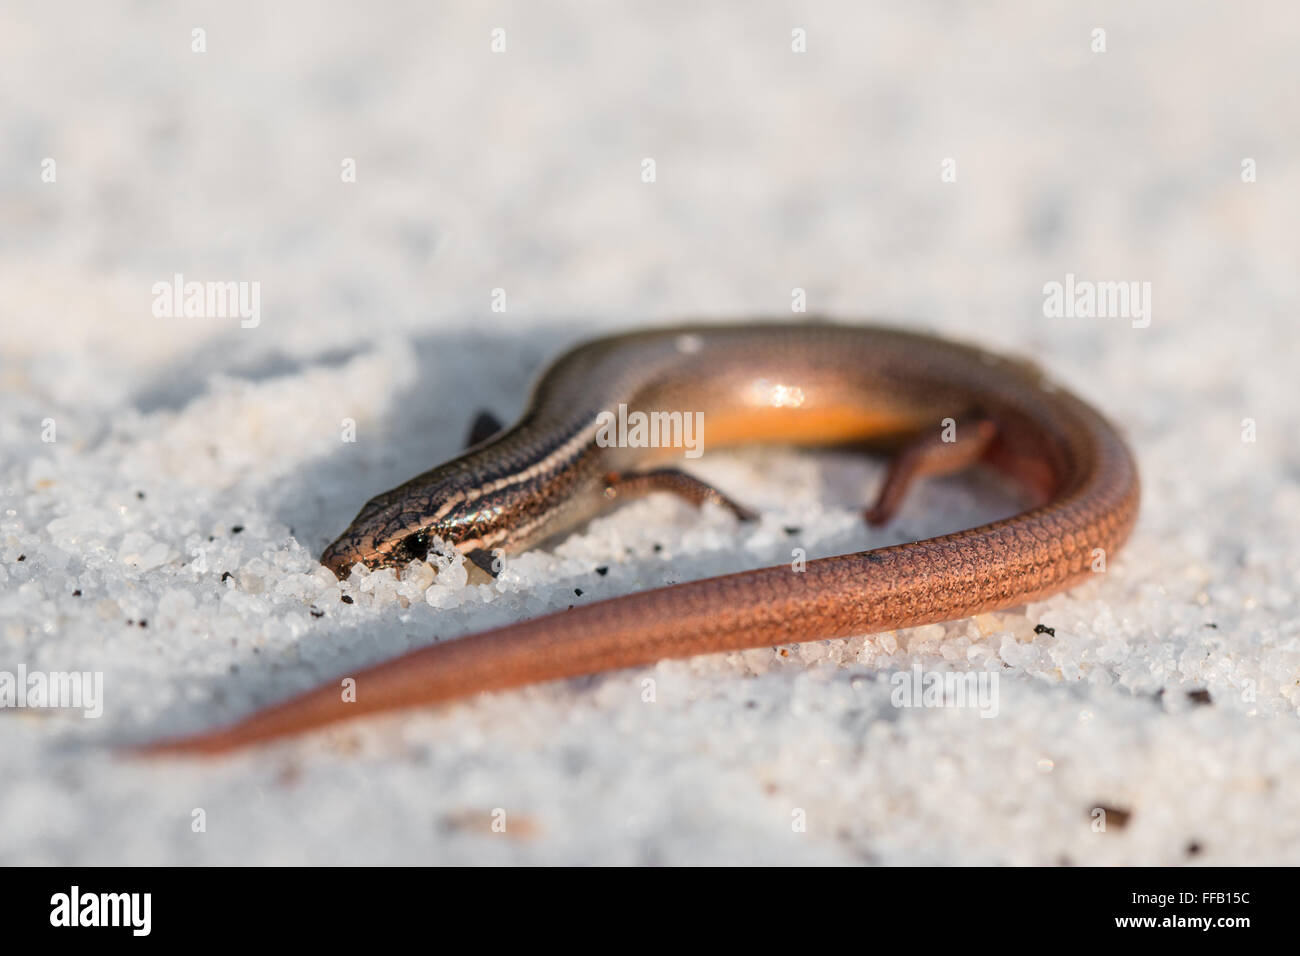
(938, 406)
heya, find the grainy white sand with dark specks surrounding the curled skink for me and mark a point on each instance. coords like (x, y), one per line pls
(523, 171)
